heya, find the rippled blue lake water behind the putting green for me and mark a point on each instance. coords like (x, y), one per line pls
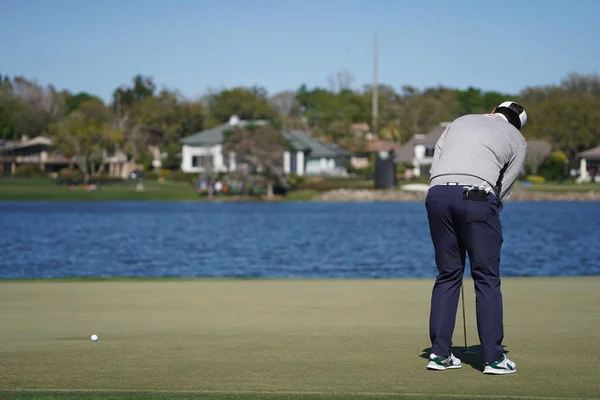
(342, 240)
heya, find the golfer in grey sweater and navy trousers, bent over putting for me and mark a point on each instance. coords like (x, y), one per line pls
(475, 163)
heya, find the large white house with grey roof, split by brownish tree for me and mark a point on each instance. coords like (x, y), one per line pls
(203, 151)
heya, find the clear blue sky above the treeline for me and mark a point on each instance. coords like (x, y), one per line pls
(194, 45)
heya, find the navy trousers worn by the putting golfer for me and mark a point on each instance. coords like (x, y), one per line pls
(459, 227)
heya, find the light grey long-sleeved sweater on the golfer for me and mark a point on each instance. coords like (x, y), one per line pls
(479, 149)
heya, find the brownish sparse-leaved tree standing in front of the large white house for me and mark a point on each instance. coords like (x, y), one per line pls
(259, 152)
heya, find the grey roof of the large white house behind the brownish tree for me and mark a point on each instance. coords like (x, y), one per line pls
(299, 140)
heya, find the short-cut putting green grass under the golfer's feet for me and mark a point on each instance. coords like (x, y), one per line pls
(308, 339)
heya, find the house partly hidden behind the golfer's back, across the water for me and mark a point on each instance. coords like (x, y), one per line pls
(418, 151)
